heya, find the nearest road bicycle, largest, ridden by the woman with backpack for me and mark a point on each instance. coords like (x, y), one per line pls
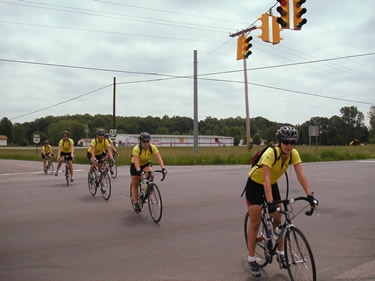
(298, 254)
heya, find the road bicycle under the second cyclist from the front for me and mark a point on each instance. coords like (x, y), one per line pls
(148, 192)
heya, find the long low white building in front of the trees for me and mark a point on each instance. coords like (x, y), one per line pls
(175, 140)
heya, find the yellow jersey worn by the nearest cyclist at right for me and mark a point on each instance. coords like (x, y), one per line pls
(268, 158)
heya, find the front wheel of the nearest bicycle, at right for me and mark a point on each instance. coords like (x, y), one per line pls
(299, 257)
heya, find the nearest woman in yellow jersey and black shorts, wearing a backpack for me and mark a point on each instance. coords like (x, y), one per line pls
(262, 185)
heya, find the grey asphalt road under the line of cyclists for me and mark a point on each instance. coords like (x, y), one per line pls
(52, 232)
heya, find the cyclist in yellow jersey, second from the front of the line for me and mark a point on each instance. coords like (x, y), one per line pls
(141, 161)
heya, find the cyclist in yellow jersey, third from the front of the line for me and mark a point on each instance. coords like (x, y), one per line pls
(95, 152)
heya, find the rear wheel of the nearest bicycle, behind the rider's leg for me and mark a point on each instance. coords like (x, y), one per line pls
(261, 242)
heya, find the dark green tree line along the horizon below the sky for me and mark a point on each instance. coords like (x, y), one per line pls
(337, 130)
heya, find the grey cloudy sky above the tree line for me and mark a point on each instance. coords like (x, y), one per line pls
(60, 58)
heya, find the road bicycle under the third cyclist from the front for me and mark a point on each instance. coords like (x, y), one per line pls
(100, 179)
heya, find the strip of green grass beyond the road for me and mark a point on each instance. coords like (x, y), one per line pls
(209, 155)
